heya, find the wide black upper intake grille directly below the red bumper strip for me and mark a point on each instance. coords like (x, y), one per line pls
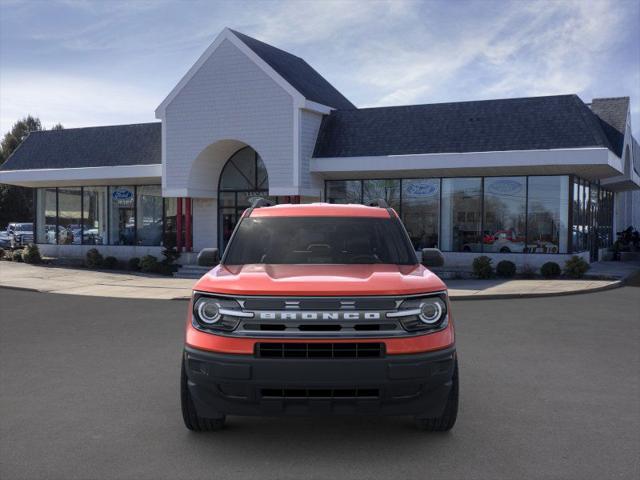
(320, 350)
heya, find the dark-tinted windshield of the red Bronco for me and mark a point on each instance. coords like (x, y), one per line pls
(320, 240)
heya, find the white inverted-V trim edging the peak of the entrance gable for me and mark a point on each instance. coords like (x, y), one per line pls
(227, 34)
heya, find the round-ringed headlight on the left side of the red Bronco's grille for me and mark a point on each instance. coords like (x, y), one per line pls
(215, 313)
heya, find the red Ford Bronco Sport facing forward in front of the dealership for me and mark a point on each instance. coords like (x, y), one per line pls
(320, 309)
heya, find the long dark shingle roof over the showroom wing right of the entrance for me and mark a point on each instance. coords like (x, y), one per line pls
(533, 123)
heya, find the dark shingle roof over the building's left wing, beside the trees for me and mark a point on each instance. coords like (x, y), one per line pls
(138, 144)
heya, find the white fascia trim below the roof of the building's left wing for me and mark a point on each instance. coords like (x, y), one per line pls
(71, 176)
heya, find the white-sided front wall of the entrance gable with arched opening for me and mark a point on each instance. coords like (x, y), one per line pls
(230, 97)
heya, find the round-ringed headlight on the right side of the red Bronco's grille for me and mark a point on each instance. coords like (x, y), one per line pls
(423, 313)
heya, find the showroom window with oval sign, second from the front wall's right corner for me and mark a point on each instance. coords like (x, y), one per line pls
(505, 214)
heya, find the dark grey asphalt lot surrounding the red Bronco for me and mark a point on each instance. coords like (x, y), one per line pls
(550, 388)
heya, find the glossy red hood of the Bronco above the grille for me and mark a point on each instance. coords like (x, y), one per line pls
(320, 280)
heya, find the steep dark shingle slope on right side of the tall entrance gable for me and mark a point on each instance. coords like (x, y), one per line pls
(298, 73)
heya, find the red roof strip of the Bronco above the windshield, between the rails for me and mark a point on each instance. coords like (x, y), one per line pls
(320, 210)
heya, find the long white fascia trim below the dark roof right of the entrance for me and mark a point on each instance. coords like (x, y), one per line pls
(472, 160)
